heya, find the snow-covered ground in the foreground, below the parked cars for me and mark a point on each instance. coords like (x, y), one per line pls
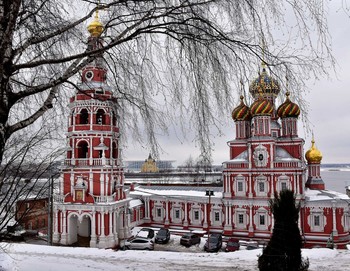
(27, 257)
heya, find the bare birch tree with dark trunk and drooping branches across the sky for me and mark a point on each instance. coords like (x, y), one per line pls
(170, 61)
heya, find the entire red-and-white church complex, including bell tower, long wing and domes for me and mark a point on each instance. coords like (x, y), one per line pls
(266, 156)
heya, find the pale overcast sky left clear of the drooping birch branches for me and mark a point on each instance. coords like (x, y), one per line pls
(329, 101)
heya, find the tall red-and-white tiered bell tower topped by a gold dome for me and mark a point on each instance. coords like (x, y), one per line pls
(91, 196)
